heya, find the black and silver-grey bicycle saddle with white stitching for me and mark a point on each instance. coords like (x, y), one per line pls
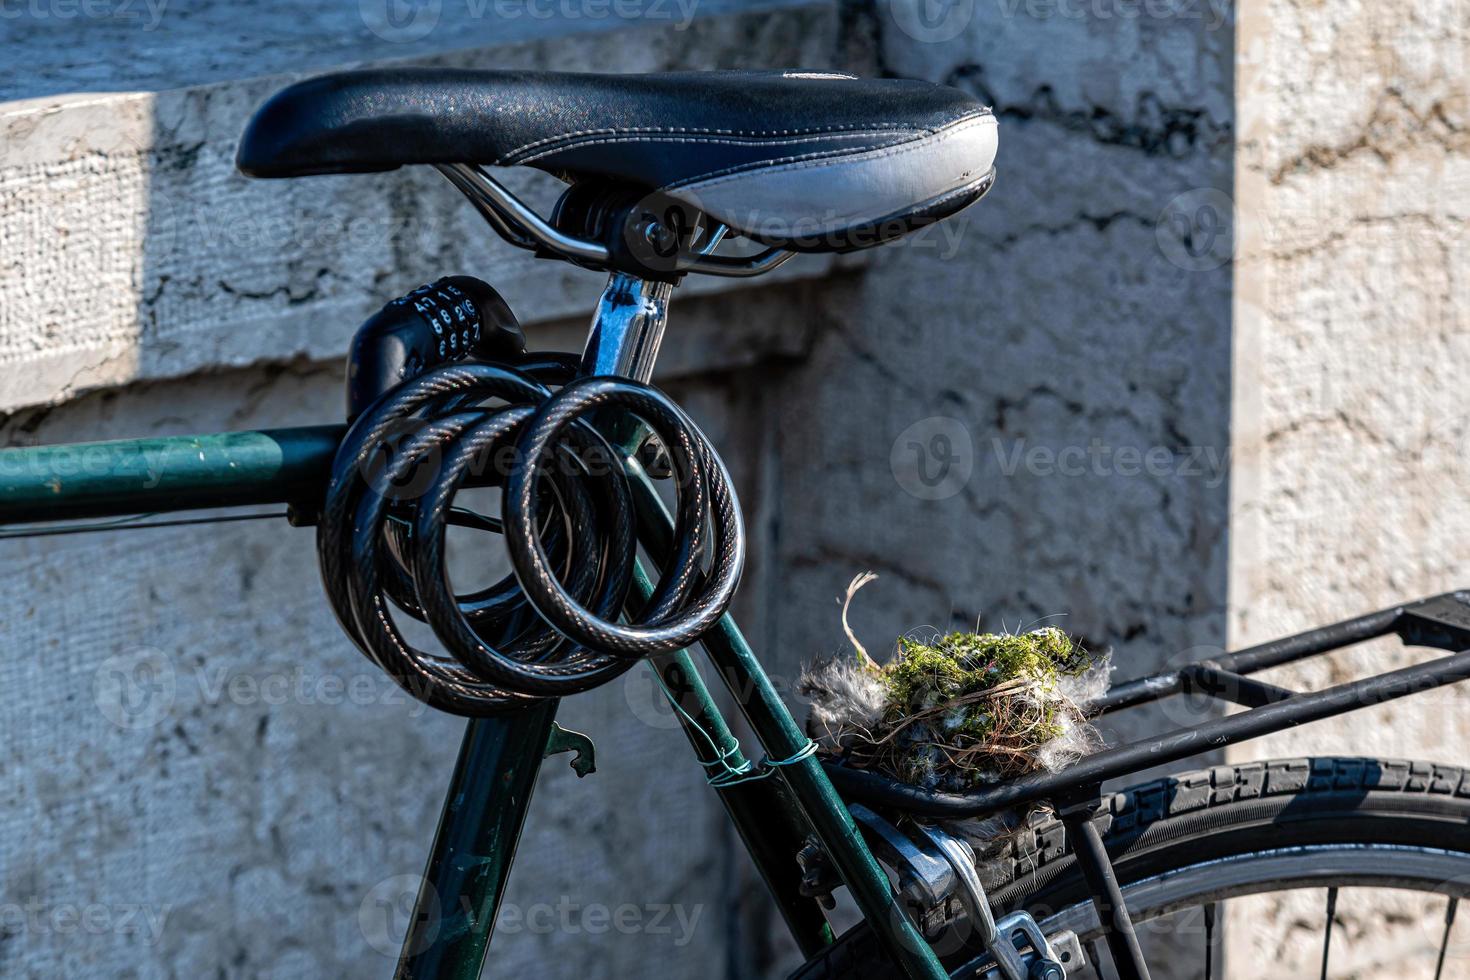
(809, 161)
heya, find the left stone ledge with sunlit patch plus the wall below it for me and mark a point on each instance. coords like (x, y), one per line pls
(258, 807)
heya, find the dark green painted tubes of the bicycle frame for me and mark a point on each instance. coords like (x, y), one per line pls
(501, 757)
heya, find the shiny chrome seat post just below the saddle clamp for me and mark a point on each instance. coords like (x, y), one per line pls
(628, 328)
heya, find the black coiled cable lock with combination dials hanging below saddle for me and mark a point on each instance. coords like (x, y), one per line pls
(530, 427)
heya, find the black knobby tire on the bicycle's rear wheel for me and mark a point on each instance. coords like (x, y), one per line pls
(1206, 821)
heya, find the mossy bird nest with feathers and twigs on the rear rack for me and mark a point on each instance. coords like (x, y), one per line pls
(958, 710)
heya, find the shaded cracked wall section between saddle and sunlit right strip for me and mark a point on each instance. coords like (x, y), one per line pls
(1022, 415)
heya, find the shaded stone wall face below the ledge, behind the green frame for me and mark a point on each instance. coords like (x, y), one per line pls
(261, 801)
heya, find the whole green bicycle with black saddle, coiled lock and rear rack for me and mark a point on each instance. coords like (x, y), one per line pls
(664, 170)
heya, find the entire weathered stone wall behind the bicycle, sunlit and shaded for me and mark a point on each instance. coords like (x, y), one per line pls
(1039, 411)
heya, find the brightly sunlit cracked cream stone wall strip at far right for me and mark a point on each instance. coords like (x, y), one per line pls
(1352, 427)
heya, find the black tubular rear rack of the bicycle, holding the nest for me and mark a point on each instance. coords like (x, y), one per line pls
(1441, 622)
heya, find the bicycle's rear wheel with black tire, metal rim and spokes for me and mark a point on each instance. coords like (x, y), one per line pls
(1187, 844)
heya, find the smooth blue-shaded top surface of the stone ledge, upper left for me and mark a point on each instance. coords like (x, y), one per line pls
(118, 46)
